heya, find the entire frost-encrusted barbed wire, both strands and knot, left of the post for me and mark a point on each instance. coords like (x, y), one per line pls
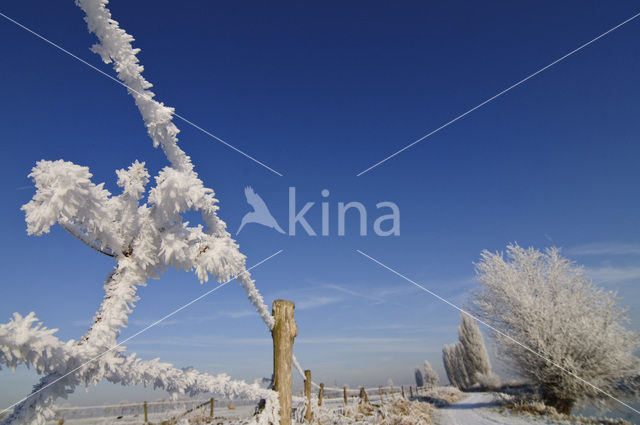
(143, 235)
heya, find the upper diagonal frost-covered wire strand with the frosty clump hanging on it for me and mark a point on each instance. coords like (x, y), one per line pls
(178, 187)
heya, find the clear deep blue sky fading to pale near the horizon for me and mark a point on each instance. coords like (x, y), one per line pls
(320, 92)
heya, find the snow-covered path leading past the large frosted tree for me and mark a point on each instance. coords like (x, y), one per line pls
(473, 410)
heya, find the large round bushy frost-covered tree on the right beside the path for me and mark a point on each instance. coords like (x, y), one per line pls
(576, 343)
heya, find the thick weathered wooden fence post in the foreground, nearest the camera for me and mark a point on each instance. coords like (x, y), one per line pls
(283, 333)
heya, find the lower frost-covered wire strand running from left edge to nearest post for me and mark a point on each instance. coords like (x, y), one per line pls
(67, 365)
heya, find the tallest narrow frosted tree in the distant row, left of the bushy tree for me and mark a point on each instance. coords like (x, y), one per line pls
(474, 352)
